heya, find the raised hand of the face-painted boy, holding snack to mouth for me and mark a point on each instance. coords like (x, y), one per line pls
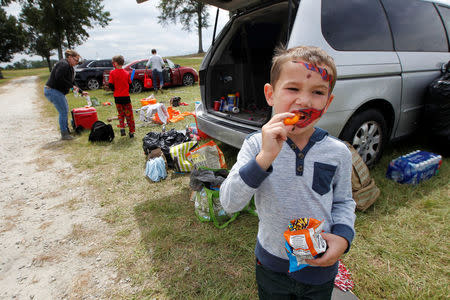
(274, 133)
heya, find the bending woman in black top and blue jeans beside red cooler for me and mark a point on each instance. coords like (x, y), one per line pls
(61, 80)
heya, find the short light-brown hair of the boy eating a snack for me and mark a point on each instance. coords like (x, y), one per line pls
(310, 54)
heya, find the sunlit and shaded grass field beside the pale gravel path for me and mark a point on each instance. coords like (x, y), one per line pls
(400, 251)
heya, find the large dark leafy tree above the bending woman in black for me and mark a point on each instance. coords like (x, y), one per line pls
(63, 23)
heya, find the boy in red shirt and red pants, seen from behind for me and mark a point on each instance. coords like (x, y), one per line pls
(119, 82)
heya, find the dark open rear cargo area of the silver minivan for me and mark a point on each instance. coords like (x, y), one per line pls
(240, 60)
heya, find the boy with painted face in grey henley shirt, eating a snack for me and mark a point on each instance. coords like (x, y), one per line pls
(295, 171)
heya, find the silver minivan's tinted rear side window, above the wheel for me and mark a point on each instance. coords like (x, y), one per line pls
(356, 25)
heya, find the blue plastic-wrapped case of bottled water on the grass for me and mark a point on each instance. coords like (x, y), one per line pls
(414, 167)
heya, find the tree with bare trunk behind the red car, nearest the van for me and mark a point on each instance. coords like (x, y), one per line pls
(190, 13)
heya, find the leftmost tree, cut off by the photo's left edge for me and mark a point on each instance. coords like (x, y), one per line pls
(12, 36)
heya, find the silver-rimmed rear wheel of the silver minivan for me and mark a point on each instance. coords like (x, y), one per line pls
(367, 132)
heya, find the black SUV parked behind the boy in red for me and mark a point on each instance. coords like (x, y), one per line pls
(89, 75)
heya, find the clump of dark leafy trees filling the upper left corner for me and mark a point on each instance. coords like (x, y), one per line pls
(47, 25)
